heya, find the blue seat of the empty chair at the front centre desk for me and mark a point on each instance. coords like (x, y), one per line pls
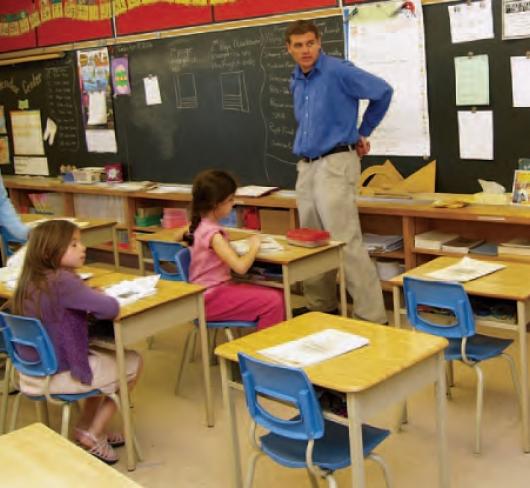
(330, 452)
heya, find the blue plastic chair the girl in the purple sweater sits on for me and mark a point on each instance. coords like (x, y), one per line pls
(25, 337)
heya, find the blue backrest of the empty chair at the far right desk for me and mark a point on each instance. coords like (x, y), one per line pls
(446, 295)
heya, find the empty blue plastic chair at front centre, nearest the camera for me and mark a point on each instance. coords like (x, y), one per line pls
(307, 440)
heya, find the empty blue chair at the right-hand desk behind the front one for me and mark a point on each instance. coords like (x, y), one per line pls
(465, 344)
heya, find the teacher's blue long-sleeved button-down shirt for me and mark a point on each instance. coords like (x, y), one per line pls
(326, 104)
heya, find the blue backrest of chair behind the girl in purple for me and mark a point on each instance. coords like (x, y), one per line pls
(28, 345)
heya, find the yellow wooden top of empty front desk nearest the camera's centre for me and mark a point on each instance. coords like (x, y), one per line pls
(390, 350)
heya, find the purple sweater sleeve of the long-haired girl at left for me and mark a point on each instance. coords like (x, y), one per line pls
(76, 295)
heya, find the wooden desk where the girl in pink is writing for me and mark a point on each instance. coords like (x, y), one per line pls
(298, 263)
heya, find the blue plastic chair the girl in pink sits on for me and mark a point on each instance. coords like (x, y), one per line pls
(183, 259)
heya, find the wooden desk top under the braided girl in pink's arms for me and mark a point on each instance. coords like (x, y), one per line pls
(288, 255)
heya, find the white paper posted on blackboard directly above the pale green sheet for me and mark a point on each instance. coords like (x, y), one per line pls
(471, 21)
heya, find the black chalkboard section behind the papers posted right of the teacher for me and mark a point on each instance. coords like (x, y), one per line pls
(510, 125)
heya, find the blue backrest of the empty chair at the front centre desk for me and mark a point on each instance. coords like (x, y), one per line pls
(284, 384)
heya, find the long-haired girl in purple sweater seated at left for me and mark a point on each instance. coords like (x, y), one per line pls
(50, 290)
